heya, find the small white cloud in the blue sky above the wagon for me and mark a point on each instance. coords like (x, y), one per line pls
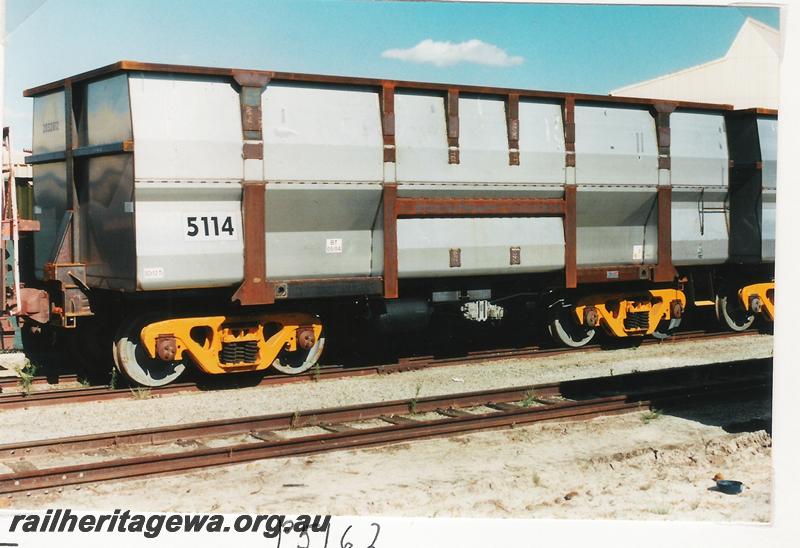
(444, 54)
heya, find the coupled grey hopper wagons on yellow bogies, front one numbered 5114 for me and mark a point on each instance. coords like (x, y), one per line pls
(259, 195)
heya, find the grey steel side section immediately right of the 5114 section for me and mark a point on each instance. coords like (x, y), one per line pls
(323, 163)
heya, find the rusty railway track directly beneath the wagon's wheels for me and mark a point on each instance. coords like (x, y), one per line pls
(14, 397)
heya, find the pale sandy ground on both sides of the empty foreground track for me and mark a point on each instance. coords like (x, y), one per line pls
(634, 466)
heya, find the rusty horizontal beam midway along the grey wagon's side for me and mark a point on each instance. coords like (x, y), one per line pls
(443, 207)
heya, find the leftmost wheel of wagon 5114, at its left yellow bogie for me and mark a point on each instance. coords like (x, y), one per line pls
(132, 359)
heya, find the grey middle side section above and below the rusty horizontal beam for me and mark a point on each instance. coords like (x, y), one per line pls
(483, 245)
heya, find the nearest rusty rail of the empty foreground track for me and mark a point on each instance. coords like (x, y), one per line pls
(358, 438)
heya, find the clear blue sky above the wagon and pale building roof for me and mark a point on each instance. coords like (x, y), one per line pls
(590, 49)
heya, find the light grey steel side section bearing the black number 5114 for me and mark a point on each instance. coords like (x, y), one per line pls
(188, 138)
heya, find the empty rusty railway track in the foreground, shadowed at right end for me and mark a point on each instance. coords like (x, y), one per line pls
(399, 422)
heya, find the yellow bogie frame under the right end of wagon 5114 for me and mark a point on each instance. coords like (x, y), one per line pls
(623, 315)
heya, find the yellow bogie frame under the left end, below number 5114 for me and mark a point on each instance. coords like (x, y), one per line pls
(222, 344)
